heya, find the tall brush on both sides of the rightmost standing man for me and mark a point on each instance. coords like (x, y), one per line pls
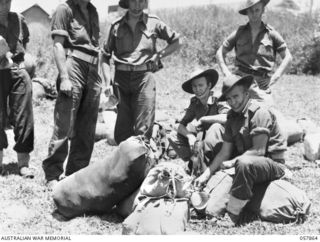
(204, 29)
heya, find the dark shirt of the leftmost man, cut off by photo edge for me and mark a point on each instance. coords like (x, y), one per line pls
(16, 34)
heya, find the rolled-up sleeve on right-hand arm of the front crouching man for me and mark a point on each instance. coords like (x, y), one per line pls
(261, 123)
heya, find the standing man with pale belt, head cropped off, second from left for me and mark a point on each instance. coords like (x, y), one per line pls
(75, 33)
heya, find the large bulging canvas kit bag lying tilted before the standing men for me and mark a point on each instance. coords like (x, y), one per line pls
(103, 184)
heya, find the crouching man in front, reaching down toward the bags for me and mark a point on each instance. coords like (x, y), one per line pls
(253, 133)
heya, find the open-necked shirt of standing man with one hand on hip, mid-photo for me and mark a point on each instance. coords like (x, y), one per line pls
(136, 47)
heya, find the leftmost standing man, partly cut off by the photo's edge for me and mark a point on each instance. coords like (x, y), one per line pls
(15, 87)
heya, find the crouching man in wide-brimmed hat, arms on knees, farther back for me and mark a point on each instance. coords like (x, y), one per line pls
(210, 115)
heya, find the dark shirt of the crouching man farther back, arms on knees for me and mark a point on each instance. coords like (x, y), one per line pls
(196, 110)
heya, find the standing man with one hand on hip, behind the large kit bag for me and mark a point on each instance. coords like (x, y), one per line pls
(132, 41)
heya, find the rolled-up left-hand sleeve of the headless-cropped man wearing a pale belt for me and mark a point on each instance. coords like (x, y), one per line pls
(60, 22)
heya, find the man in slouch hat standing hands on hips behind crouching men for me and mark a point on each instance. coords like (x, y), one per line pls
(256, 45)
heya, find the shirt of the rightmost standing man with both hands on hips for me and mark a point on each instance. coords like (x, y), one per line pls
(258, 56)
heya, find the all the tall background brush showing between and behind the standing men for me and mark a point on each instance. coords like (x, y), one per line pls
(203, 30)
